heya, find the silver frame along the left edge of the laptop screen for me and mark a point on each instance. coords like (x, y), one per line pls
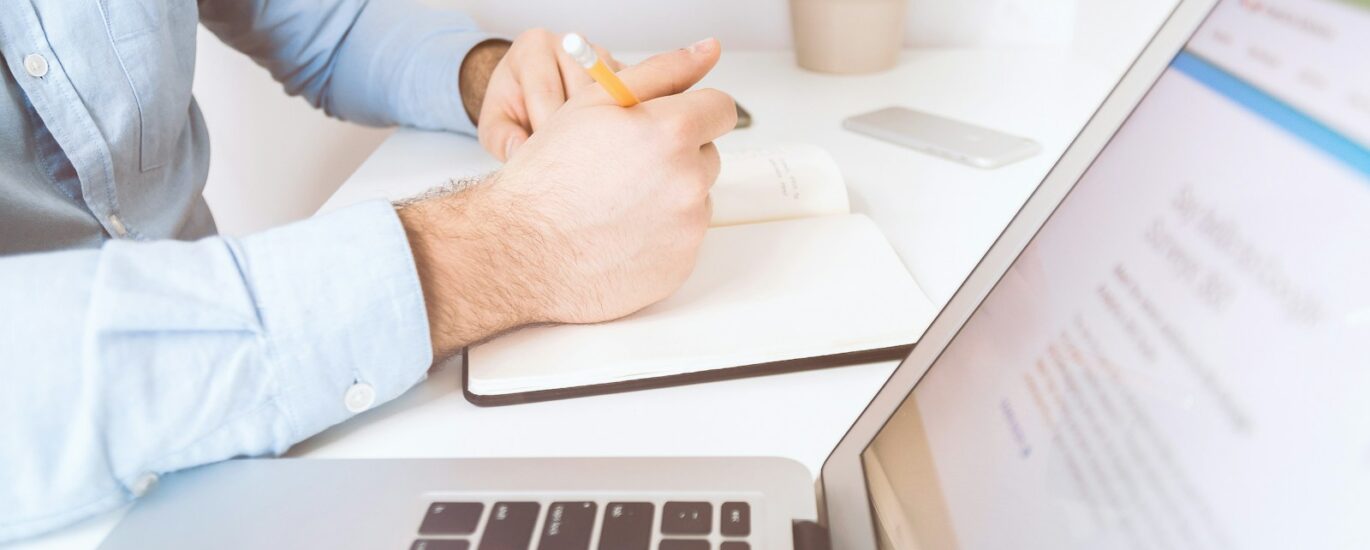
(843, 499)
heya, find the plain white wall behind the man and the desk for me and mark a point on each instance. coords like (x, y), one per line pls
(271, 146)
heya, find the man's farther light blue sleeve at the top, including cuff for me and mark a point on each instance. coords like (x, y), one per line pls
(393, 62)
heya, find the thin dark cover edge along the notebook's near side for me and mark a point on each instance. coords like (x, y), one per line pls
(695, 378)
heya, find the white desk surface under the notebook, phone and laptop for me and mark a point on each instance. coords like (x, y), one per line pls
(941, 217)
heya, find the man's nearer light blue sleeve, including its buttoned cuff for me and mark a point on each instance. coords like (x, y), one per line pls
(140, 359)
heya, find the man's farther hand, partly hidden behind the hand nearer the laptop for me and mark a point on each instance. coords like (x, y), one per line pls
(510, 91)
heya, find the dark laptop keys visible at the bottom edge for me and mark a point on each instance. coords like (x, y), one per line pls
(579, 525)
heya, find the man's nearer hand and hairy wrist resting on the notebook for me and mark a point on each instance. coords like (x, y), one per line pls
(598, 216)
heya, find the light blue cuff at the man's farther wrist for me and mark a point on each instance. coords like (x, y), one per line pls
(436, 97)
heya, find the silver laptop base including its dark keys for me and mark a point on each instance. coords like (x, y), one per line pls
(672, 504)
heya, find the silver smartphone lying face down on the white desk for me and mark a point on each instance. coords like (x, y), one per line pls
(942, 136)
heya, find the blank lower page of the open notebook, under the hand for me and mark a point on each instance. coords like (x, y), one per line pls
(760, 294)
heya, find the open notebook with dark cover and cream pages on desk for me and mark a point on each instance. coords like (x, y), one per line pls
(787, 279)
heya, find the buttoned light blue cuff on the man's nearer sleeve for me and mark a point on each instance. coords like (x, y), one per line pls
(342, 301)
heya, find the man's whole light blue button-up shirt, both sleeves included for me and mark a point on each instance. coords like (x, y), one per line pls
(128, 352)
